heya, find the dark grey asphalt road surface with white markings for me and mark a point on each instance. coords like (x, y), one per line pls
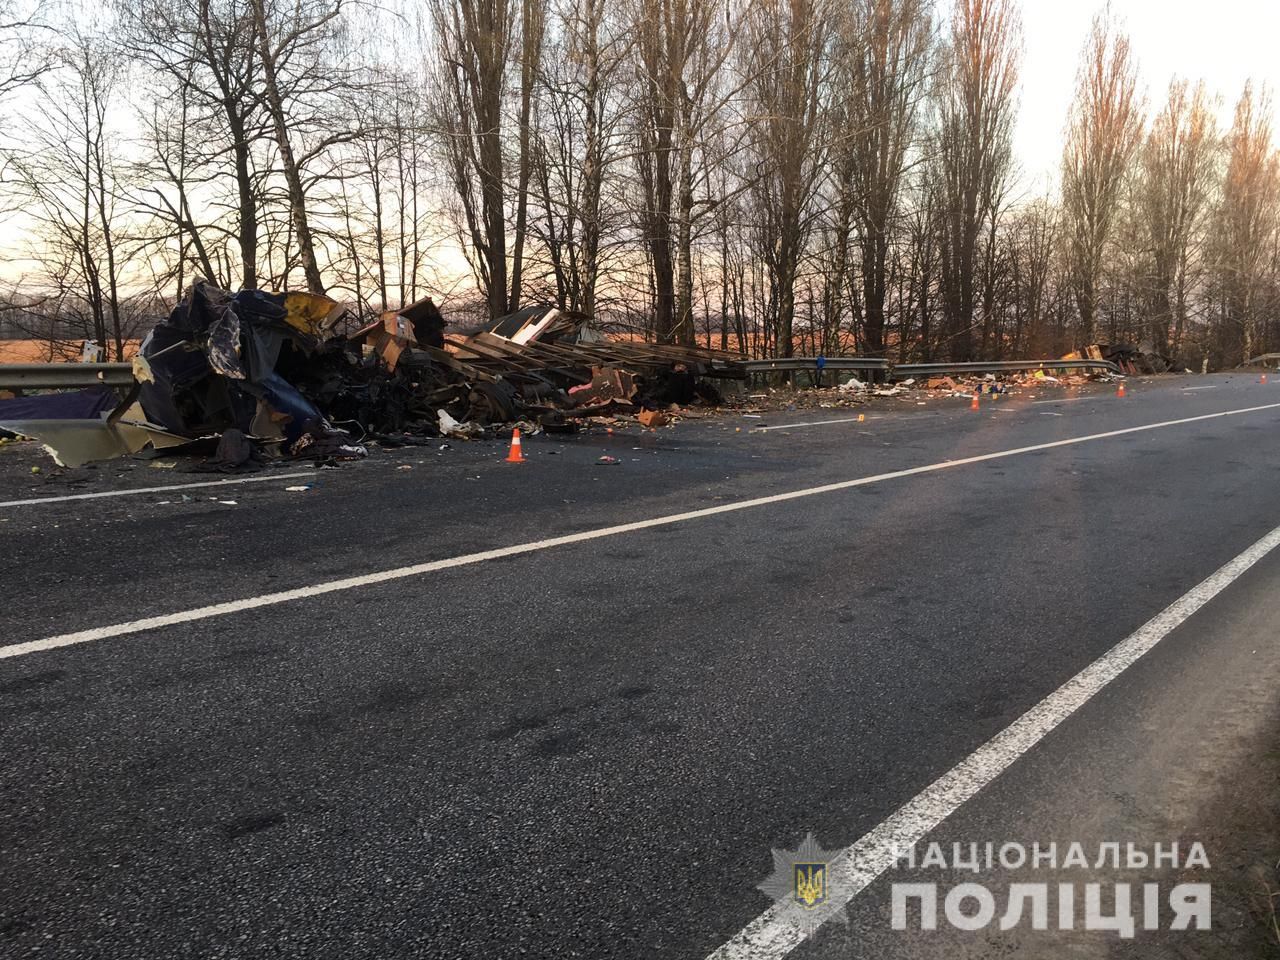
(589, 748)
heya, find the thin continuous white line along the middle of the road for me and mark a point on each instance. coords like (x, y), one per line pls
(218, 610)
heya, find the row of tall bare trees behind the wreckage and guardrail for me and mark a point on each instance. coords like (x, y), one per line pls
(775, 176)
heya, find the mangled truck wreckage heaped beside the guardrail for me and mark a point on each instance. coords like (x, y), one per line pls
(258, 372)
